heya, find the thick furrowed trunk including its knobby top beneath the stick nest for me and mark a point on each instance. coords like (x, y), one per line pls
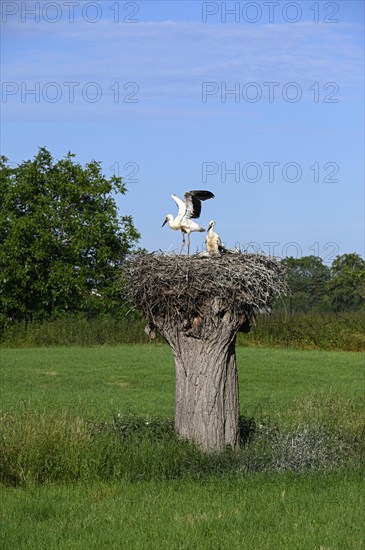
(207, 397)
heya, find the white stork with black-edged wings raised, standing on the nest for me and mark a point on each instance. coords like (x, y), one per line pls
(189, 209)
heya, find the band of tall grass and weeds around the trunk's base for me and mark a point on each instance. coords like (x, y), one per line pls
(38, 448)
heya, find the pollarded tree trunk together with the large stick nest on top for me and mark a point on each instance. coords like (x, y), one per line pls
(198, 303)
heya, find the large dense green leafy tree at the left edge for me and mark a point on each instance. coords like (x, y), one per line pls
(61, 239)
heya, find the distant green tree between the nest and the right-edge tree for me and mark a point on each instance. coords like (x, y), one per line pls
(307, 279)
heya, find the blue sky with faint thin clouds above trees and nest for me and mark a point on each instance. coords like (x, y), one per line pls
(259, 102)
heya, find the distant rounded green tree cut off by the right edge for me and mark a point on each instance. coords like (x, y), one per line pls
(347, 284)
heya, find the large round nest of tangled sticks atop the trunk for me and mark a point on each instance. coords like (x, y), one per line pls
(182, 287)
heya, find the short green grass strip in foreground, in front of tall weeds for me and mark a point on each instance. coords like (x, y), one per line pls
(260, 513)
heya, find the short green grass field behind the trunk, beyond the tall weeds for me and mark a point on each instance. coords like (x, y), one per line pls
(101, 381)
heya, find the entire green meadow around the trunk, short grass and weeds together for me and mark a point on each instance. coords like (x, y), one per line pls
(90, 460)
